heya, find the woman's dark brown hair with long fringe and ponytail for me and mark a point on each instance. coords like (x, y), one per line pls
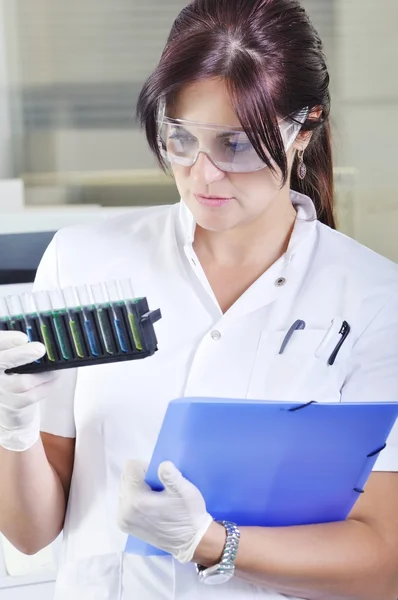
(272, 61)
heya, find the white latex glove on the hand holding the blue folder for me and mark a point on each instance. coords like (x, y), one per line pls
(174, 520)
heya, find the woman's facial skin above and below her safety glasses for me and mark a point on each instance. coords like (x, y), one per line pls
(249, 196)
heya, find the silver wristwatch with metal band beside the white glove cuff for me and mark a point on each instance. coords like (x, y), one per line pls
(225, 569)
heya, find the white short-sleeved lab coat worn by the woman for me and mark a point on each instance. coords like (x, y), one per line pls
(117, 409)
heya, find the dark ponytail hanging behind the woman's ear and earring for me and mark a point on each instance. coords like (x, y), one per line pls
(318, 183)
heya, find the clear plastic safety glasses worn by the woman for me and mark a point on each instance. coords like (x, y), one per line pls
(180, 142)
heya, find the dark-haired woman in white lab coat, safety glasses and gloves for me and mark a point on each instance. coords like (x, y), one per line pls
(238, 107)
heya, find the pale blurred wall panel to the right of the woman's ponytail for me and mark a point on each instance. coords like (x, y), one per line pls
(366, 56)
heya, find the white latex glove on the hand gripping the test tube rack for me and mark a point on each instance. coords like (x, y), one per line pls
(20, 394)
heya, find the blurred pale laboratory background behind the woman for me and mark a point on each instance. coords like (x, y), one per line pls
(70, 74)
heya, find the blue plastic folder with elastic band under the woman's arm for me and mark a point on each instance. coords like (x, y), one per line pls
(263, 463)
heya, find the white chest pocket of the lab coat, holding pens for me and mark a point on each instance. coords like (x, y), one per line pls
(299, 373)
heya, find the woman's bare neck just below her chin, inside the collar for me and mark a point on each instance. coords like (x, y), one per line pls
(263, 240)
